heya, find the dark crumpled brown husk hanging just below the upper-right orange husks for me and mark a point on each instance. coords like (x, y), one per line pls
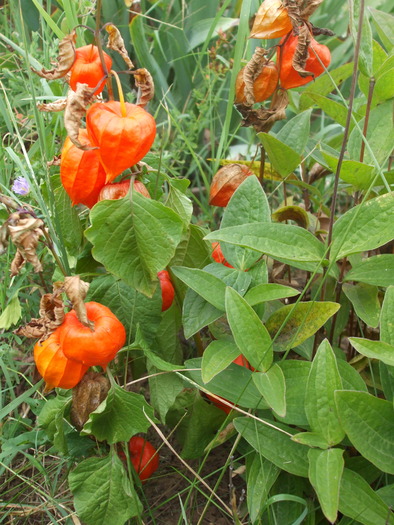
(263, 119)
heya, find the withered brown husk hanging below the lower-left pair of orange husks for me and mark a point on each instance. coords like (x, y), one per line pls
(87, 396)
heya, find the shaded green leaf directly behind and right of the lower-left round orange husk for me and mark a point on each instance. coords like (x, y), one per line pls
(132, 308)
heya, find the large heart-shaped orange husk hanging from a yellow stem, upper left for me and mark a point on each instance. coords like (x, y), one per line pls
(123, 140)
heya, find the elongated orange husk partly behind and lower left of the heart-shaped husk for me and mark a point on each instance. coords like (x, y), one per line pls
(81, 172)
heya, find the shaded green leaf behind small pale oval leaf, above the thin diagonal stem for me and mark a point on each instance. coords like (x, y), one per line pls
(235, 384)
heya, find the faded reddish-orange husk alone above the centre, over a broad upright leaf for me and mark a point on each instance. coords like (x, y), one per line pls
(225, 182)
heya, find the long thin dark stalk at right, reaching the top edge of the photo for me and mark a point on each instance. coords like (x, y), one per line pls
(346, 132)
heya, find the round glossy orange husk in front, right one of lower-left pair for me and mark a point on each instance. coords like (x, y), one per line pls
(96, 346)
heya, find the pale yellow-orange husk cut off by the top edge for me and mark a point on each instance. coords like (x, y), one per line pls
(272, 20)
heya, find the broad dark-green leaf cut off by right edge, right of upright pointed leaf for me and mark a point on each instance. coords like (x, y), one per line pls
(369, 424)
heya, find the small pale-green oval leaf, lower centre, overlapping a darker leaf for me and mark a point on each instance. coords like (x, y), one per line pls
(217, 357)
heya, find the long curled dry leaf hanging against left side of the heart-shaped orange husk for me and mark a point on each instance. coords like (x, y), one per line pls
(77, 103)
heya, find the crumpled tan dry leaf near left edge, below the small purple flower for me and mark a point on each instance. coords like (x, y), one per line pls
(25, 232)
